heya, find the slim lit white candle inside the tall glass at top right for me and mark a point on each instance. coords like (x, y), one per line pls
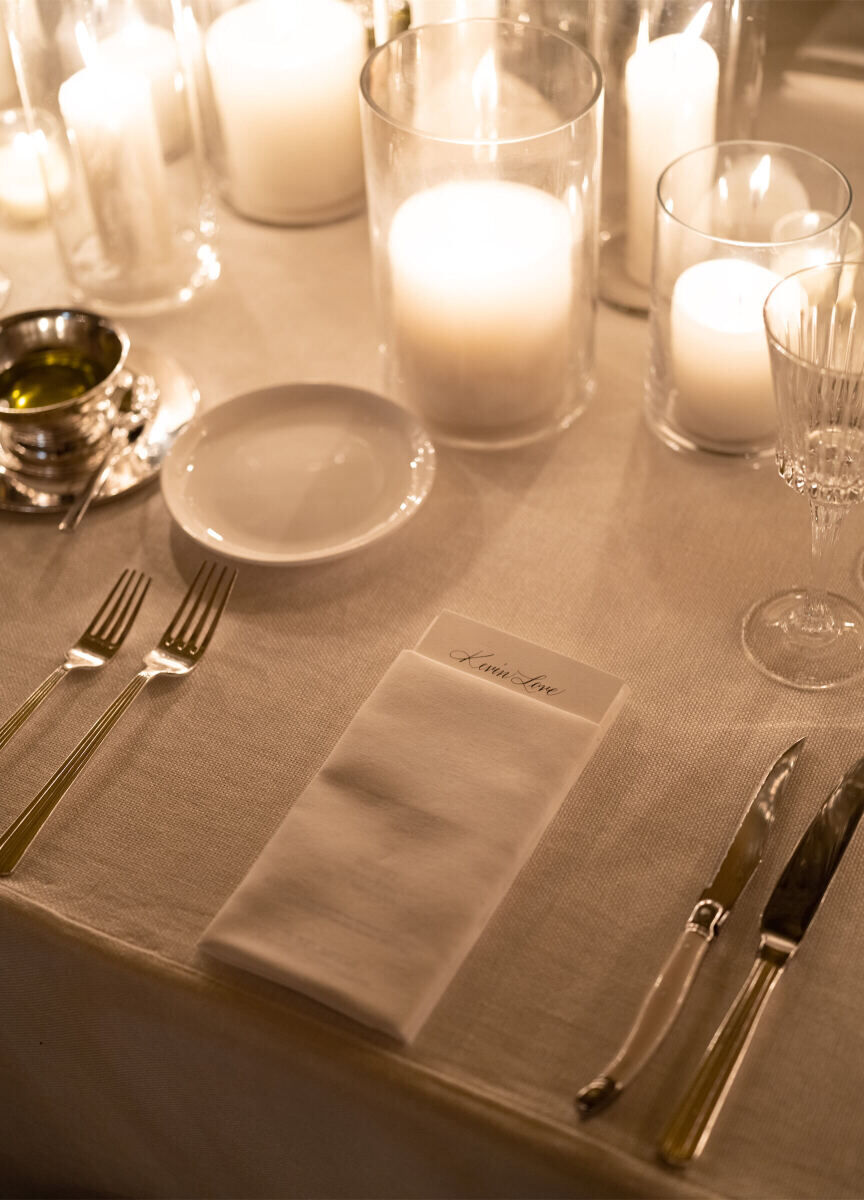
(671, 94)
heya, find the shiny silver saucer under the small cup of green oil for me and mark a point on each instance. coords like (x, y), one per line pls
(178, 400)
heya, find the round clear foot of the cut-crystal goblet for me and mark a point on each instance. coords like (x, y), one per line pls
(777, 640)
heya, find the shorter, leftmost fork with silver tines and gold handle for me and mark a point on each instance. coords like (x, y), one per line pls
(98, 645)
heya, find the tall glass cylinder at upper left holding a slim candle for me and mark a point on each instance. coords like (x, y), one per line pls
(109, 89)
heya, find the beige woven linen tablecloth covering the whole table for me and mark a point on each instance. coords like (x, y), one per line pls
(134, 1066)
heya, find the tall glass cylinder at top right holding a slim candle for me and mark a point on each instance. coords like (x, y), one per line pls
(679, 75)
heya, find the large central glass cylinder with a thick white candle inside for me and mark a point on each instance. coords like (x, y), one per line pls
(482, 142)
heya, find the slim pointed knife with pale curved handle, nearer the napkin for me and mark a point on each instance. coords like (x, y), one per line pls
(671, 987)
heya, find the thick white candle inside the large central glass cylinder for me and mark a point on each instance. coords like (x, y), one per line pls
(482, 277)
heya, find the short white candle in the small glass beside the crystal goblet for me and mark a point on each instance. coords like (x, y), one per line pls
(721, 362)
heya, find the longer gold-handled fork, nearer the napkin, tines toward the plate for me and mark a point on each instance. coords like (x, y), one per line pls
(179, 651)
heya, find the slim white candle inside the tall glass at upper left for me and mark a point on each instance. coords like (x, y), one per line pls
(112, 128)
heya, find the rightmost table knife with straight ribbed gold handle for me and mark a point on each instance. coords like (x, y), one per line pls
(791, 908)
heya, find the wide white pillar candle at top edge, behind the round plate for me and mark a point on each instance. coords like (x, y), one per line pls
(286, 82)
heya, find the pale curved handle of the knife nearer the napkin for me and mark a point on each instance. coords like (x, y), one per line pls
(653, 1022)
